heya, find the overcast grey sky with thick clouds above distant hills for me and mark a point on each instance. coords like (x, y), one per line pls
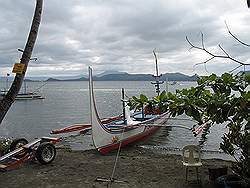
(121, 34)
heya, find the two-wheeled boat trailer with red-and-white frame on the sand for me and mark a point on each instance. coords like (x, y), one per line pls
(41, 149)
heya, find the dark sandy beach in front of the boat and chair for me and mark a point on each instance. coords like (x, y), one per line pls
(136, 167)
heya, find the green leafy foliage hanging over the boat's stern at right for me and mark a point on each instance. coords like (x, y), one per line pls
(215, 100)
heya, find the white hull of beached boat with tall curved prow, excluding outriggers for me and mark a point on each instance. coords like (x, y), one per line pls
(118, 133)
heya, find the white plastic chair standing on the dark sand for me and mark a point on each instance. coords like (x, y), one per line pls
(191, 158)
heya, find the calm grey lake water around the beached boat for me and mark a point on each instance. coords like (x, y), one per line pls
(67, 103)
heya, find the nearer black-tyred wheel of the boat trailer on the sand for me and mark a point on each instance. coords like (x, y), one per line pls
(45, 153)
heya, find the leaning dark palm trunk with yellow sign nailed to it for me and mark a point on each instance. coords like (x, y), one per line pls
(9, 98)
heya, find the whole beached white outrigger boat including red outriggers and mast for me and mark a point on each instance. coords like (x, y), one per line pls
(118, 131)
